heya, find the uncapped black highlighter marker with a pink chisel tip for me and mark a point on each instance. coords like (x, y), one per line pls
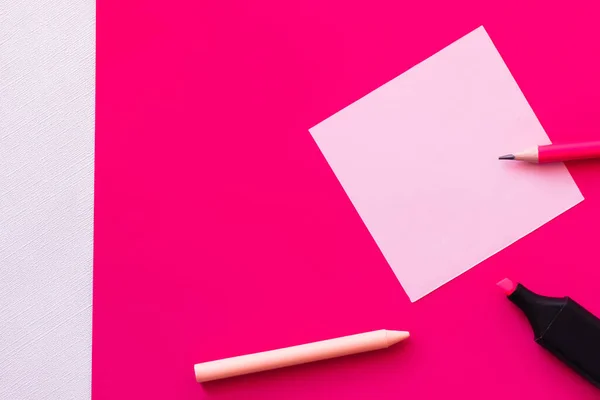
(562, 326)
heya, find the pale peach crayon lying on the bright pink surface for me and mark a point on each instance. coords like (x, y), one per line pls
(295, 355)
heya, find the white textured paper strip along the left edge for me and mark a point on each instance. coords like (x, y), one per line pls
(47, 52)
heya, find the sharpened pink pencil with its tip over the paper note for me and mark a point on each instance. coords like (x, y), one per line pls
(557, 153)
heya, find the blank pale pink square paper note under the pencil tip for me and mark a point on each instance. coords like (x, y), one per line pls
(418, 158)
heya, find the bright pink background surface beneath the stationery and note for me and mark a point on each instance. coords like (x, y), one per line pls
(221, 230)
